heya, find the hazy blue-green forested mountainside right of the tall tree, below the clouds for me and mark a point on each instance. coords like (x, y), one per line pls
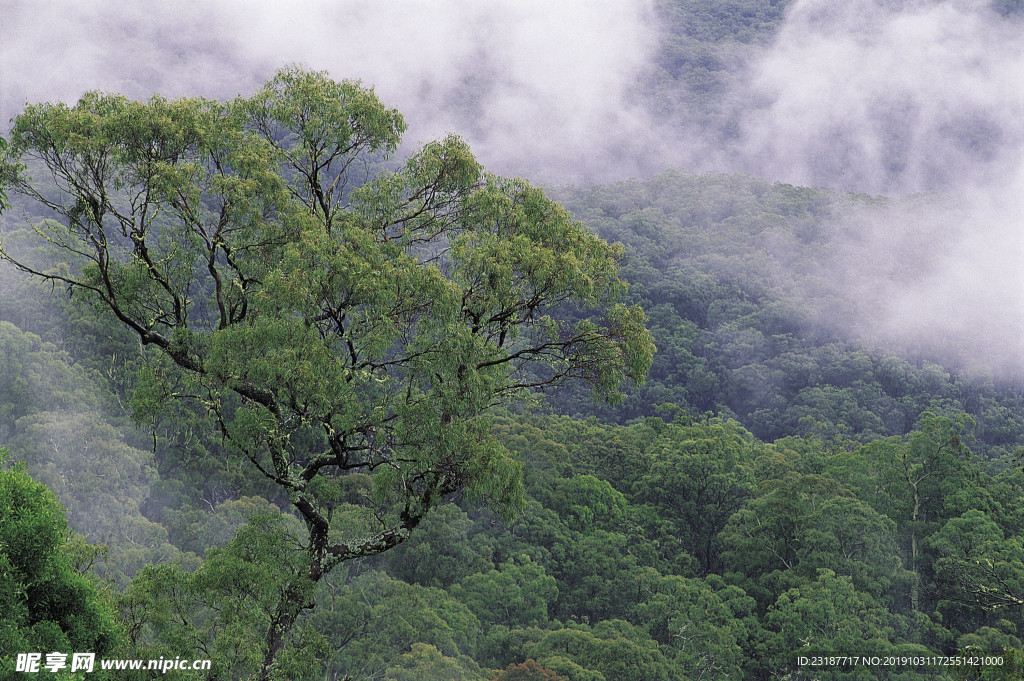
(742, 283)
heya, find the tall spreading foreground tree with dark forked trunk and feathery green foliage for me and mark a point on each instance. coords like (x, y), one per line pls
(336, 321)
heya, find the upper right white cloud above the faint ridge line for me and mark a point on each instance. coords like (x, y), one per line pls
(888, 97)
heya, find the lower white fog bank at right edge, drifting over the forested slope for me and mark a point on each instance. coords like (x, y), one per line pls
(937, 277)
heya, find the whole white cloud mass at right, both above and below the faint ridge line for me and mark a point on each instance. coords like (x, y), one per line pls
(904, 98)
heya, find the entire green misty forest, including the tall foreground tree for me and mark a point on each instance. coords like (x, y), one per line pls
(274, 398)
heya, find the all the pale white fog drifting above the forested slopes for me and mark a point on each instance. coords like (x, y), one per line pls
(882, 97)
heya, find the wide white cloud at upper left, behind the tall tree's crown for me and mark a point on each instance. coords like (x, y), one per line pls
(537, 87)
